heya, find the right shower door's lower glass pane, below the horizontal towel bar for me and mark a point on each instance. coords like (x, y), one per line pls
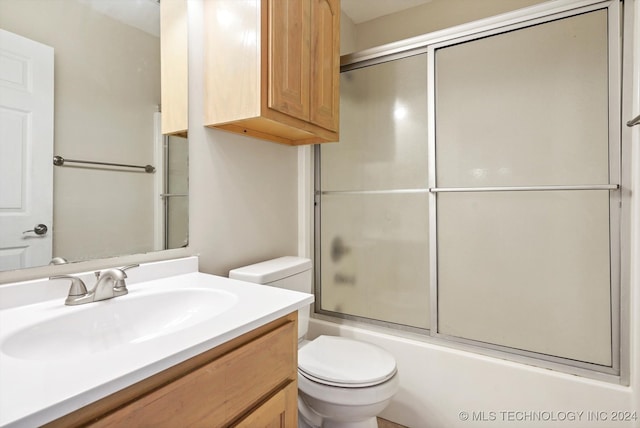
(527, 270)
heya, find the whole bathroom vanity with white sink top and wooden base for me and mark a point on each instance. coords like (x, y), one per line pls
(226, 357)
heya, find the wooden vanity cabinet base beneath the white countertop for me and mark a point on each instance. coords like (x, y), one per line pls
(250, 381)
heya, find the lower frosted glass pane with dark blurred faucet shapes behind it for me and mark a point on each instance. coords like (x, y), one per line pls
(374, 256)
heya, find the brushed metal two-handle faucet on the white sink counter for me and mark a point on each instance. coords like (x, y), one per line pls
(110, 283)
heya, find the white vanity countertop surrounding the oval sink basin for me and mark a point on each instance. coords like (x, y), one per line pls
(34, 392)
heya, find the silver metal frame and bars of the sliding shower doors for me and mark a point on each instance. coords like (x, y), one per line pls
(619, 180)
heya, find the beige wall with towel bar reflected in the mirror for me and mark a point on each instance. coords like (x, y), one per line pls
(97, 213)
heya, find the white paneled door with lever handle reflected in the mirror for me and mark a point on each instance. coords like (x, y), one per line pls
(26, 152)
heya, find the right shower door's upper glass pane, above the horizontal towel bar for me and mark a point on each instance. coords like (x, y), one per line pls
(527, 107)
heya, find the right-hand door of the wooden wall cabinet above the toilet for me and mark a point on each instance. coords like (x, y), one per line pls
(325, 63)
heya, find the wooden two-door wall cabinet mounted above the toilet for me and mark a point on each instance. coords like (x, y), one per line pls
(272, 69)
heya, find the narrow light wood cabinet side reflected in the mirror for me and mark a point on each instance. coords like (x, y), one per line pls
(174, 86)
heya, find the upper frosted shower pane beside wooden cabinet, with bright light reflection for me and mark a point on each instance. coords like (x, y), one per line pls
(383, 135)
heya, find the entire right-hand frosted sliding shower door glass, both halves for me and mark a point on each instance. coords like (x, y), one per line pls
(526, 188)
